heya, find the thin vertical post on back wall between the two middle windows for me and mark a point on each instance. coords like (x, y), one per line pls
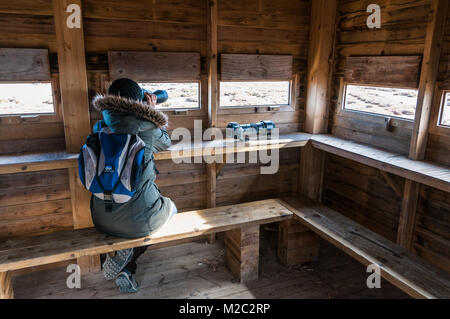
(212, 99)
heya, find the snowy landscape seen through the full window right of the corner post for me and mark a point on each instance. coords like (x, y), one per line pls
(391, 102)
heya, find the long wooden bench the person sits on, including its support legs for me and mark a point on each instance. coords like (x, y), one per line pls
(240, 222)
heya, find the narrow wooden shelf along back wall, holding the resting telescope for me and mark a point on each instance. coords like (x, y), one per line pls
(10, 164)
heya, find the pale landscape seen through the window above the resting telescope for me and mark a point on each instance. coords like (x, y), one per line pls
(241, 94)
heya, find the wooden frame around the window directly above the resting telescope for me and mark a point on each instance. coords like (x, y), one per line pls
(246, 109)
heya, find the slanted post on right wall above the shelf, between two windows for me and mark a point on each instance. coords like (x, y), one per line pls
(428, 76)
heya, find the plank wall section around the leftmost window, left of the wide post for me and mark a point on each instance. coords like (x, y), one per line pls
(38, 202)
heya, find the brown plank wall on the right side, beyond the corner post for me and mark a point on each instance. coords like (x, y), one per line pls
(365, 194)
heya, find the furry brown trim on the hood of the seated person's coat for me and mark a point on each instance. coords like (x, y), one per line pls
(142, 110)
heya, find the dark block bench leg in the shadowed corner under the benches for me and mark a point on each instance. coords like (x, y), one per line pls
(296, 243)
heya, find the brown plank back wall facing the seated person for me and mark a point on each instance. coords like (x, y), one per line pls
(248, 26)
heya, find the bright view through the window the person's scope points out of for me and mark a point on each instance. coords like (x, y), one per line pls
(181, 95)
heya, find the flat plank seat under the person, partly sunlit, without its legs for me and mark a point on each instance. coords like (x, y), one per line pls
(29, 252)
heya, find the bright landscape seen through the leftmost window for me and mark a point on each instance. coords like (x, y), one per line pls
(26, 98)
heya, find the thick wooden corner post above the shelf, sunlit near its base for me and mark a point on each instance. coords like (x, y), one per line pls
(320, 59)
